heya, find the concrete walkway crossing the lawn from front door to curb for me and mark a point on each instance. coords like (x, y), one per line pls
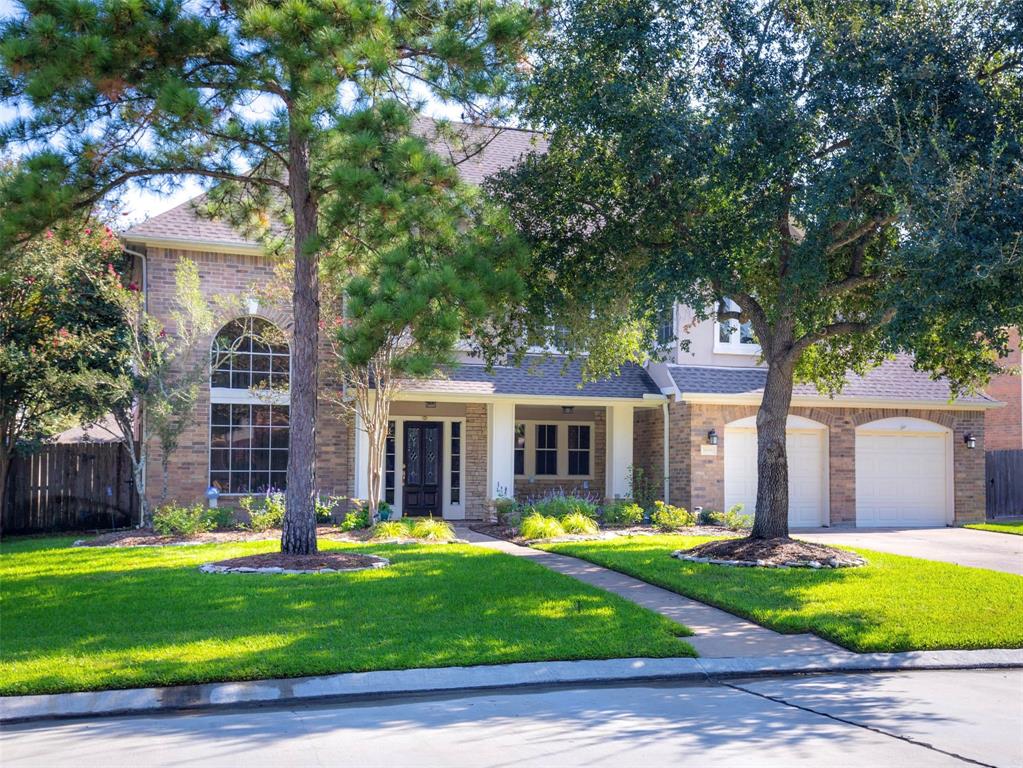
(718, 635)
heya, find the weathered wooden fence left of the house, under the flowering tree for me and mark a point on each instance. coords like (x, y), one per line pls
(77, 486)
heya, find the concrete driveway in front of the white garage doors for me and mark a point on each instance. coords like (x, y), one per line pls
(960, 546)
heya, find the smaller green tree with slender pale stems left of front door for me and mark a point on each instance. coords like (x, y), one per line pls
(422, 262)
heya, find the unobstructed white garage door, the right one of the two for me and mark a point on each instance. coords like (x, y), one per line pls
(902, 476)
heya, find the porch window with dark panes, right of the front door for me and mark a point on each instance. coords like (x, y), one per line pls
(554, 449)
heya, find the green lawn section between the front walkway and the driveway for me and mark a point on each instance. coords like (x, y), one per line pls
(893, 604)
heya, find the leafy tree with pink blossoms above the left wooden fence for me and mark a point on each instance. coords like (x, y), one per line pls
(61, 334)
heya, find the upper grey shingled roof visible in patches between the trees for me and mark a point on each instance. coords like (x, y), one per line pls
(481, 152)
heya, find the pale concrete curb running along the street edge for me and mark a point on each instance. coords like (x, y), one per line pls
(453, 680)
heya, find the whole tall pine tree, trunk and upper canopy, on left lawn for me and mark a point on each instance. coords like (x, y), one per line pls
(246, 94)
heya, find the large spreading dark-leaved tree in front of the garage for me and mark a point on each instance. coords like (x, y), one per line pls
(848, 173)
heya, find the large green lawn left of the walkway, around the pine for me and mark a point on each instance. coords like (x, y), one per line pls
(105, 618)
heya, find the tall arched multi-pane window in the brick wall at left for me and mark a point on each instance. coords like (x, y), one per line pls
(249, 409)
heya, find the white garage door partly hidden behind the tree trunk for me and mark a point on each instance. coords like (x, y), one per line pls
(807, 474)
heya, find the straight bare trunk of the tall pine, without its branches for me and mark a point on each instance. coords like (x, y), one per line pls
(299, 535)
